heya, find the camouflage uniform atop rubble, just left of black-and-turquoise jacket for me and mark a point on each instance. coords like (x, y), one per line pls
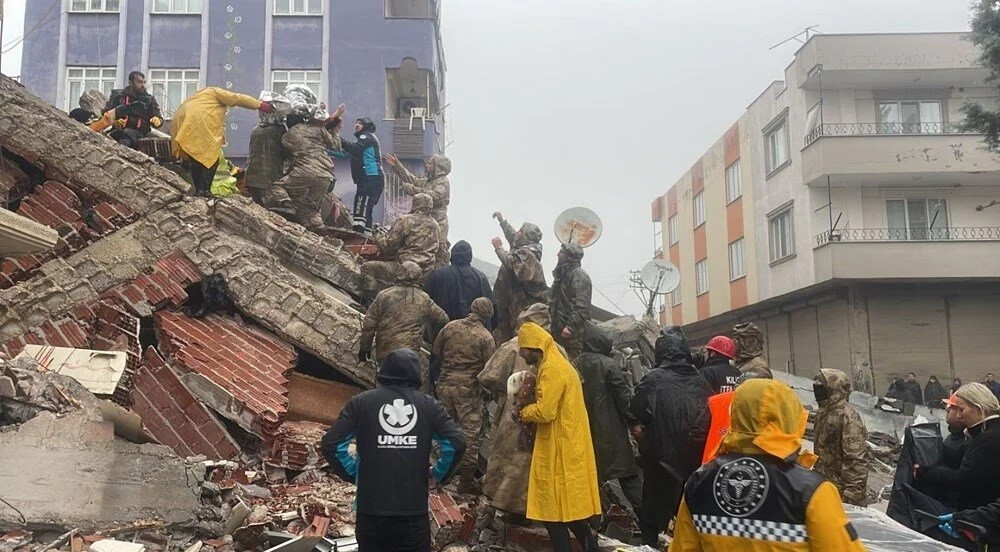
(309, 176)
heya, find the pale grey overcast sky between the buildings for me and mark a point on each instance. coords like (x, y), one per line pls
(605, 103)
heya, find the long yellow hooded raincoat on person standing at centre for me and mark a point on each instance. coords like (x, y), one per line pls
(562, 484)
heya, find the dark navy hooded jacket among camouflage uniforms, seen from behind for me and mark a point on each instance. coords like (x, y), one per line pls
(456, 286)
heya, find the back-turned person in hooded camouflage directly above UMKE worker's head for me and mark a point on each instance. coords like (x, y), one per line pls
(398, 316)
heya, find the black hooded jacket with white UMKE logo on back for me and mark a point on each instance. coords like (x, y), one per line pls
(393, 426)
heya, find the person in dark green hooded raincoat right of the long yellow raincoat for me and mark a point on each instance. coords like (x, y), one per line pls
(607, 395)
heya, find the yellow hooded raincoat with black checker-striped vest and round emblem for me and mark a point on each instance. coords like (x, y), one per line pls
(767, 420)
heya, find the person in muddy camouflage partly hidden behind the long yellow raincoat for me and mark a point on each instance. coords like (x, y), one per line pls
(506, 481)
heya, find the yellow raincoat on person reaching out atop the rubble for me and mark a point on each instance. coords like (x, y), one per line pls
(198, 128)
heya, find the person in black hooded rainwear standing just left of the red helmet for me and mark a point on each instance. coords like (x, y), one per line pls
(670, 420)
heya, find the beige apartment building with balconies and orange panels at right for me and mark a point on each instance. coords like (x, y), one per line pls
(870, 240)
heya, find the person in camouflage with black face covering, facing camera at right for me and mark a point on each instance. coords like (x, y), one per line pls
(841, 440)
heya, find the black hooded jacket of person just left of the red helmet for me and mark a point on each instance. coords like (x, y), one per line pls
(671, 402)
